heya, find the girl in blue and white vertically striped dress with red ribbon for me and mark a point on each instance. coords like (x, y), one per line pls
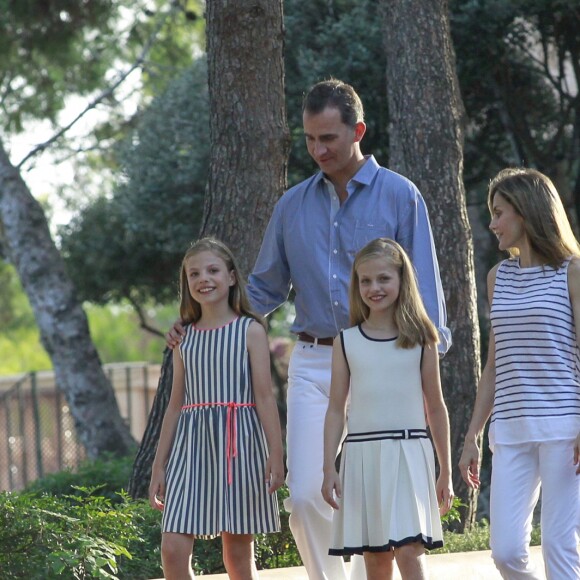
(219, 457)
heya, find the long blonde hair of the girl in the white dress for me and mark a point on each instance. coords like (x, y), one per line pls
(413, 323)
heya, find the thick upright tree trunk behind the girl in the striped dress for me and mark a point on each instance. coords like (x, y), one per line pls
(249, 151)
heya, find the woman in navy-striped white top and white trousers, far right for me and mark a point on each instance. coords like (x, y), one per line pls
(530, 385)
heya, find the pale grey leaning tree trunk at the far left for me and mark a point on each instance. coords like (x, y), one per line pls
(62, 322)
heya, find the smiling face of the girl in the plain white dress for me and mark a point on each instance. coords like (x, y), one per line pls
(379, 284)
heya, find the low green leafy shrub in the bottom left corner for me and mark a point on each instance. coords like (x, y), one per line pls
(80, 537)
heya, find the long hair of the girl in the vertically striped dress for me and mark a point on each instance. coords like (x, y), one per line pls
(190, 309)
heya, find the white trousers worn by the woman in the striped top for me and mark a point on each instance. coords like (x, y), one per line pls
(518, 472)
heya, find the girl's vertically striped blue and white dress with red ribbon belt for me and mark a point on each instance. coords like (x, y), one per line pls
(216, 469)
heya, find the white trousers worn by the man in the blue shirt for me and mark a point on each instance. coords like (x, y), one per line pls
(310, 516)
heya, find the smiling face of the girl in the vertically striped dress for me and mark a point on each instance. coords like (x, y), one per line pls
(208, 278)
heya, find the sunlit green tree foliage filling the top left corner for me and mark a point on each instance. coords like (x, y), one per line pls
(50, 50)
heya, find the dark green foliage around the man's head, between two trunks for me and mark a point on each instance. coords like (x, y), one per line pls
(342, 39)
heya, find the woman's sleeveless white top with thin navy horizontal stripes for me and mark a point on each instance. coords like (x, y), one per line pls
(537, 387)
